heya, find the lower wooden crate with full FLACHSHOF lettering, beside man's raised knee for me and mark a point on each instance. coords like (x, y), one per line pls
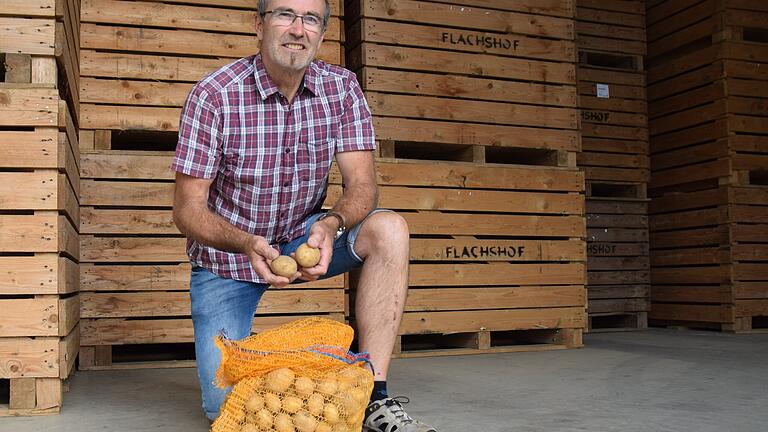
(497, 256)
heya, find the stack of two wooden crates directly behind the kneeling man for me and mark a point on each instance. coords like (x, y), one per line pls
(139, 61)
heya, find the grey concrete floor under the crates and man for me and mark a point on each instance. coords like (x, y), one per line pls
(658, 380)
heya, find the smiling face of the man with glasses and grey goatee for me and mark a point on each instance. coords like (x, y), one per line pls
(290, 46)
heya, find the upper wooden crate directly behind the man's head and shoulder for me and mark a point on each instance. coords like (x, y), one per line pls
(141, 58)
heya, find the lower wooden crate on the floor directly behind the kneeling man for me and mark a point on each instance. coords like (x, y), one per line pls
(135, 270)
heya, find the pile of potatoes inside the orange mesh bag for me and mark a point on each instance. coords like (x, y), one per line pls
(284, 402)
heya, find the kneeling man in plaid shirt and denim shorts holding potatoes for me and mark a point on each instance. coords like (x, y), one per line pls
(256, 142)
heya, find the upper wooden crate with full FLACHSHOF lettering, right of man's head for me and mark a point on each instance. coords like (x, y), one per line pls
(445, 82)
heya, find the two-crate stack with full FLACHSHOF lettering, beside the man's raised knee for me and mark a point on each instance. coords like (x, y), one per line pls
(480, 96)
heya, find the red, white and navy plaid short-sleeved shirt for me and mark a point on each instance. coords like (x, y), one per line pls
(269, 159)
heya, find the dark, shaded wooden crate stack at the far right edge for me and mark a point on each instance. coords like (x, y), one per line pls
(709, 146)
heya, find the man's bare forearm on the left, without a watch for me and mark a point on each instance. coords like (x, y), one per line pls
(210, 229)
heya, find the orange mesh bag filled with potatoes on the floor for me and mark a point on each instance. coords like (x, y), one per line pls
(298, 377)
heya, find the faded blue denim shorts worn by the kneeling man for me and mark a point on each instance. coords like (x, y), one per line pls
(220, 304)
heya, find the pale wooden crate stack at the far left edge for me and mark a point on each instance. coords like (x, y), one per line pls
(39, 210)
